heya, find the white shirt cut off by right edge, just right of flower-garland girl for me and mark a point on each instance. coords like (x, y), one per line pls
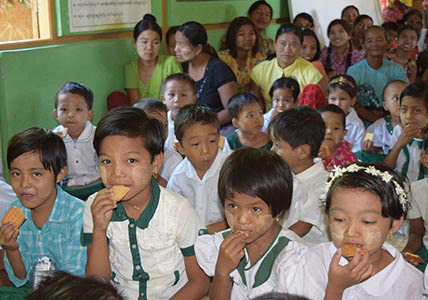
(419, 204)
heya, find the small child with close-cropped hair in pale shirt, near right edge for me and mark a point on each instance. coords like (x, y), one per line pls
(382, 129)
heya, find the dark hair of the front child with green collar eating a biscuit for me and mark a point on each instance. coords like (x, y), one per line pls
(131, 122)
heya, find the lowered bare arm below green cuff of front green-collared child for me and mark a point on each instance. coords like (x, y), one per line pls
(198, 284)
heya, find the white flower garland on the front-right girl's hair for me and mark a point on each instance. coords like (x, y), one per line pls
(386, 177)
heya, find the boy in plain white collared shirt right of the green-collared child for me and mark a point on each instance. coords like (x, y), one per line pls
(196, 177)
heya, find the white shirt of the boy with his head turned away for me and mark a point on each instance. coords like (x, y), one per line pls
(306, 205)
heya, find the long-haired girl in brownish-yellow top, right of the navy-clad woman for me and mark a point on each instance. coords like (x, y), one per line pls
(242, 54)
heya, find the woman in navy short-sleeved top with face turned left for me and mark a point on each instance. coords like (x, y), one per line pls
(215, 81)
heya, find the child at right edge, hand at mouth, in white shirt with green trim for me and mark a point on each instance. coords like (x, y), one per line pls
(405, 155)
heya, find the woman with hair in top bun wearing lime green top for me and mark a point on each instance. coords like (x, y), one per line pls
(143, 76)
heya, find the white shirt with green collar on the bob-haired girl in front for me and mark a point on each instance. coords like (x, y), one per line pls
(274, 271)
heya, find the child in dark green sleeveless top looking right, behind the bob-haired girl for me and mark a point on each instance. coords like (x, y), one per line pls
(247, 117)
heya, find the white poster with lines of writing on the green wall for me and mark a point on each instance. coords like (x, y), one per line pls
(92, 15)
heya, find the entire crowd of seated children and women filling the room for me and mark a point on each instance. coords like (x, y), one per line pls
(250, 176)
